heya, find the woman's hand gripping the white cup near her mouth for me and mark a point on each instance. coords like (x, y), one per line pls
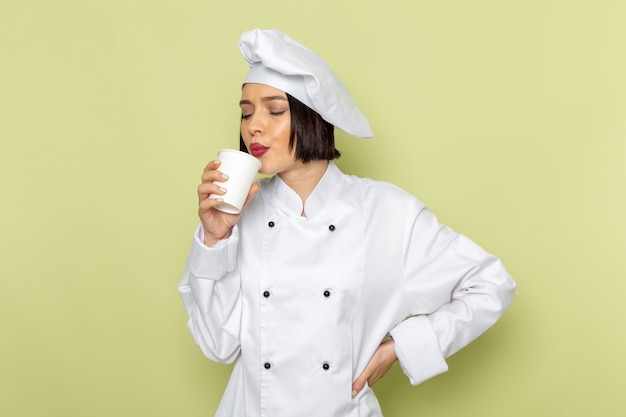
(217, 224)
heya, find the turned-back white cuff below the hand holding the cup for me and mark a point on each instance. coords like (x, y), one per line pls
(212, 262)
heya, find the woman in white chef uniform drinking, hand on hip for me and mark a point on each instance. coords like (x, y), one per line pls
(325, 279)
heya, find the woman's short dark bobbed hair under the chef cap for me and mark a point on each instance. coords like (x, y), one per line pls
(315, 136)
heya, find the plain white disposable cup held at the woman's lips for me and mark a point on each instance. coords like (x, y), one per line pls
(241, 169)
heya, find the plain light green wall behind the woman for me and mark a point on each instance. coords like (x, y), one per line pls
(507, 118)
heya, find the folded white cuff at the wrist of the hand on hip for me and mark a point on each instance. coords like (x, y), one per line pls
(418, 350)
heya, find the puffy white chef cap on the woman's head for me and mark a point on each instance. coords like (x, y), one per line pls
(280, 62)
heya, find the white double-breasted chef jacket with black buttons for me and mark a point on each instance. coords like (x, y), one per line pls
(302, 303)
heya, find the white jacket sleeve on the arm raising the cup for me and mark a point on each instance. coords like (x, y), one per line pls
(211, 292)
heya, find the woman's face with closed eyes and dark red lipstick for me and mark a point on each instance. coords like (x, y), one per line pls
(266, 126)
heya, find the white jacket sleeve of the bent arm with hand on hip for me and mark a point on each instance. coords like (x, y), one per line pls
(456, 291)
